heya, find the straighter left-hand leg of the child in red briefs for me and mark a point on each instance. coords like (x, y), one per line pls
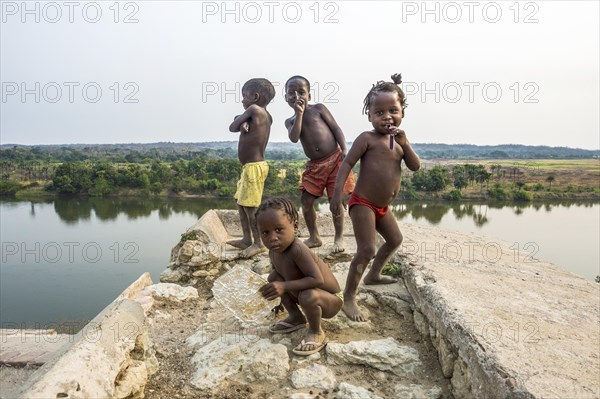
(363, 222)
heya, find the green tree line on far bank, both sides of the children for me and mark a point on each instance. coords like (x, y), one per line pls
(217, 177)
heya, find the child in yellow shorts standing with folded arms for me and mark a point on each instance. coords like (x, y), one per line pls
(255, 126)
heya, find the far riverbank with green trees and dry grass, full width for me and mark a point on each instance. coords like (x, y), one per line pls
(485, 180)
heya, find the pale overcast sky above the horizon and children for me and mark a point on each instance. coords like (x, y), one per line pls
(476, 72)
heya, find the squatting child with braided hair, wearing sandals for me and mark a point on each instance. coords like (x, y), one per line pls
(299, 277)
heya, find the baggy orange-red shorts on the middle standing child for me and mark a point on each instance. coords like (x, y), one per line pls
(320, 175)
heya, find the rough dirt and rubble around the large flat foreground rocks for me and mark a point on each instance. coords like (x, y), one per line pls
(173, 323)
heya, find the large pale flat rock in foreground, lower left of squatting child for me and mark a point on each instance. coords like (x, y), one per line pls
(247, 359)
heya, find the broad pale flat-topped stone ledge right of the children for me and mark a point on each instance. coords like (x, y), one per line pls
(503, 326)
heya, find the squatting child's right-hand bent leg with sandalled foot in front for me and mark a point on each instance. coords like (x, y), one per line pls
(317, 303)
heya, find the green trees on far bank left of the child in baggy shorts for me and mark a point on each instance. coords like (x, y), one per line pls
(199, 176)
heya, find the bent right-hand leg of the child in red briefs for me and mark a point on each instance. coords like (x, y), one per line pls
(387, 226)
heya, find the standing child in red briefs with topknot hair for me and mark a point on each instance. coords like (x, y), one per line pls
(381, 152)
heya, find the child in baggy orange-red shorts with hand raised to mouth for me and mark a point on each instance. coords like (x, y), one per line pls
(325, 145)
